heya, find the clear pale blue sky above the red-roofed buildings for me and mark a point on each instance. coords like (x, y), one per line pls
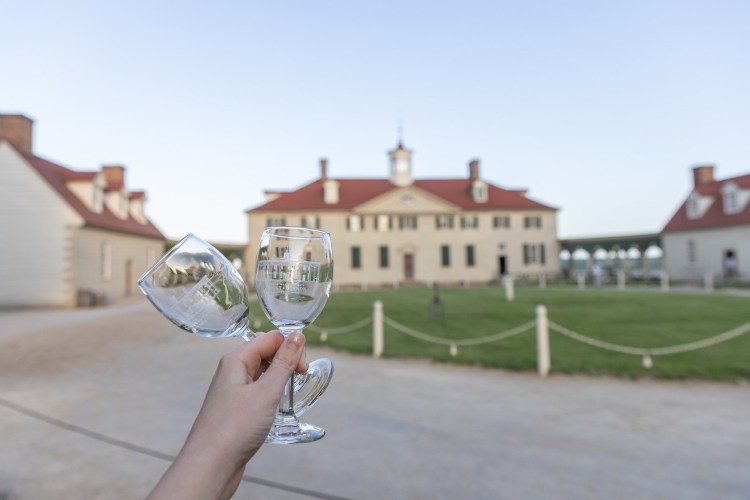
(601, 109)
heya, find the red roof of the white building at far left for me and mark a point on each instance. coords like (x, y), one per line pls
(57, 175)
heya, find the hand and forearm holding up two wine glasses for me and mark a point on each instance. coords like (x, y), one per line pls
(234, 421)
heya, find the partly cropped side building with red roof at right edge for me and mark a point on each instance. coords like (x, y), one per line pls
(710, 231)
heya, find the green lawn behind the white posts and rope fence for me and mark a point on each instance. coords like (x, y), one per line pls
(646, 319)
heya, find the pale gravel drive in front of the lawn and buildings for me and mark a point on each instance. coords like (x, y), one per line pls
(396, 428)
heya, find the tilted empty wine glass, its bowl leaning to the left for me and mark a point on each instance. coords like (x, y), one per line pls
(198, 289)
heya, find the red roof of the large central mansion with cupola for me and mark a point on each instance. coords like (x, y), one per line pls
(354, 192)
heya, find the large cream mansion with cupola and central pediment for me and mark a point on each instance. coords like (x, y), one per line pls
(399, 230)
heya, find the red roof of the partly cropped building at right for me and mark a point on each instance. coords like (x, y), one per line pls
(714, 216)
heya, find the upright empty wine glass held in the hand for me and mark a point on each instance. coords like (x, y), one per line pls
(293, 277)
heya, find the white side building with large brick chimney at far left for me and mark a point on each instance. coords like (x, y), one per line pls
(69, 237)
